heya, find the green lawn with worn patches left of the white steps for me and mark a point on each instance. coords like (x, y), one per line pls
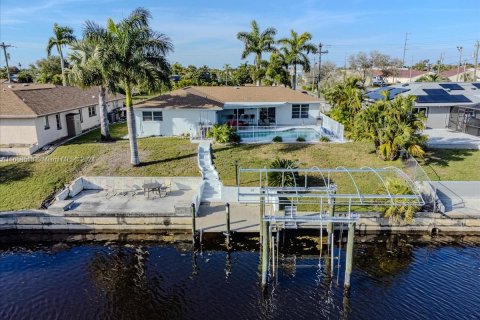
(26, 185)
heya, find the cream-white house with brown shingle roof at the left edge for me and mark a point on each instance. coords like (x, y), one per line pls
(35, 115)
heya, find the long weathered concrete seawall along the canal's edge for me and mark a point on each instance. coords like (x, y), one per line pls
(243, 219)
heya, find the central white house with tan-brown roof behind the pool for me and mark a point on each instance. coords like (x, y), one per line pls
(192, 110)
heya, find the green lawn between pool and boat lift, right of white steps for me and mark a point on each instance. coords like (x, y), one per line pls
(325, 155)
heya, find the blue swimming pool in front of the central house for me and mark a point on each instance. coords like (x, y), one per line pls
(288, 135)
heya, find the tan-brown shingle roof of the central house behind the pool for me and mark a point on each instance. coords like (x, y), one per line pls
(216, 97)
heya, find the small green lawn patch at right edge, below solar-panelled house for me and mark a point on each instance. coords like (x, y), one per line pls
(461, 165)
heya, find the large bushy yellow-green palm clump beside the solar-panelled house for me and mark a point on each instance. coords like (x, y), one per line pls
(392, 126)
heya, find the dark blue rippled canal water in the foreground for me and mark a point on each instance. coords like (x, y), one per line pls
(162, 277)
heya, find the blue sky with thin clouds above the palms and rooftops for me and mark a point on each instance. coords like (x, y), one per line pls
(204, 32)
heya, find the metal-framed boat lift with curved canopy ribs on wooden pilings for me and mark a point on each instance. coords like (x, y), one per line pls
(308, 198)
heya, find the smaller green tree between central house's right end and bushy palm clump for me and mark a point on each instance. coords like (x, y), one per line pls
(346, 100)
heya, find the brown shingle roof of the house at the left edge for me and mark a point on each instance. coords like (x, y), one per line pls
(19, 101)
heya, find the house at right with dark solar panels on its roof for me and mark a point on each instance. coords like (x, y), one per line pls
(439, 101)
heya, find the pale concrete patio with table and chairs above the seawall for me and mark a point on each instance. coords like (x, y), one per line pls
(125, 195)
